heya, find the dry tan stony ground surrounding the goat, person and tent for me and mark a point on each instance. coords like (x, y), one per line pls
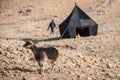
(87, 58)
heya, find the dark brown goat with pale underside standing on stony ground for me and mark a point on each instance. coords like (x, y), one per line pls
(42, 54)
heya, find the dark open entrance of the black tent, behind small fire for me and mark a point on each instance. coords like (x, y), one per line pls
(82, 31)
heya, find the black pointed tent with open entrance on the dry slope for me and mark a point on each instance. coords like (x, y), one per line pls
(78, 23)
